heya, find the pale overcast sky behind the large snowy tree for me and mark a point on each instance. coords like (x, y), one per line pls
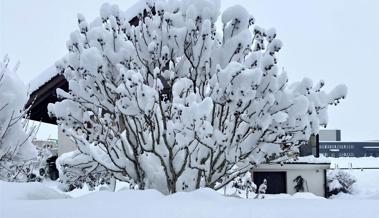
(337, 41)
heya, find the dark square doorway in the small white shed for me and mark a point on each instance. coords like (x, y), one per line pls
(276, 181)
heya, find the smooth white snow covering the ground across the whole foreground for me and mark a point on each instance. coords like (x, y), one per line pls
(44, 200)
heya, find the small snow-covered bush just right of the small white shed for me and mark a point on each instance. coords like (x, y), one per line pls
(339, 181)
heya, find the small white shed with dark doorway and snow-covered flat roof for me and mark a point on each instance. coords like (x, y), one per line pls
(302, 174)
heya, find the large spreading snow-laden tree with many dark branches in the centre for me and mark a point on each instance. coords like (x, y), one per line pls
(173, 104)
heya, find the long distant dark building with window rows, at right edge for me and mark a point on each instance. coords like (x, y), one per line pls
(332, 146)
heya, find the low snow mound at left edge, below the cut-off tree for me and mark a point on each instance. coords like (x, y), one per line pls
(28, 191)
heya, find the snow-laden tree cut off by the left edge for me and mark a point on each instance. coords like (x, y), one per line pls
(16, 149)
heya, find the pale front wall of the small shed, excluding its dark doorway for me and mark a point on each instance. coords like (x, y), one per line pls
(313, 175)
